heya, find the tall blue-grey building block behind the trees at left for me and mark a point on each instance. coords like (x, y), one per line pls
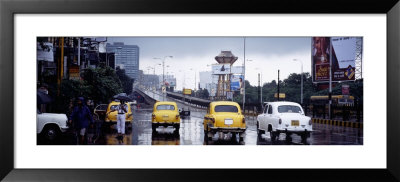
(126, 57)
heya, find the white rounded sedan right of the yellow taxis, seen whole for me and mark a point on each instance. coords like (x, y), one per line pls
(284, 117)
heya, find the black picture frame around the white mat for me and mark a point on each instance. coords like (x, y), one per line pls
(9, 8)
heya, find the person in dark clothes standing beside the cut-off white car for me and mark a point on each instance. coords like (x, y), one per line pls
(82, 118)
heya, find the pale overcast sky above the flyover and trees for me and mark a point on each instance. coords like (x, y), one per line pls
(268, 54)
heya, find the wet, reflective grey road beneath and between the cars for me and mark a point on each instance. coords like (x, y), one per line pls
(191, 132)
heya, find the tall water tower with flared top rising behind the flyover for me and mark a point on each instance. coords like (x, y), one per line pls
(223, 69)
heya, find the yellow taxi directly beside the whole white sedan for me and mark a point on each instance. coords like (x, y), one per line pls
(226, 117)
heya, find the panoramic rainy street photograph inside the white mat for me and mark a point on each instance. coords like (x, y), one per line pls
(199, 90)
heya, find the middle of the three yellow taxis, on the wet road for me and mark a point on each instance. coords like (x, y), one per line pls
(165, 114)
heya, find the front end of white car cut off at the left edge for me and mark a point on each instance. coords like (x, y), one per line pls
(51, 125)
